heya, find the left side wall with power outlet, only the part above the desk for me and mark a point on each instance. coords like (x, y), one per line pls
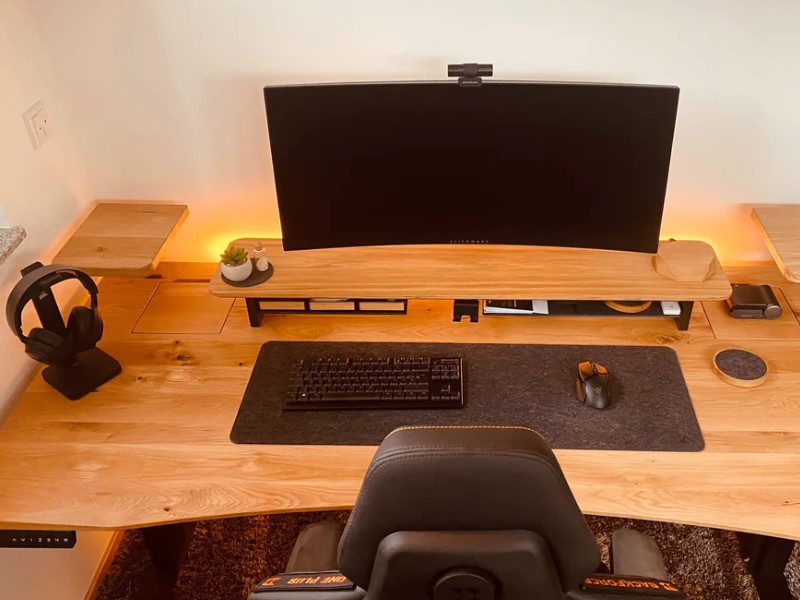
(43, 190)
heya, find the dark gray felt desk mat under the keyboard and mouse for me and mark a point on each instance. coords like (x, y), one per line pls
(506, 384)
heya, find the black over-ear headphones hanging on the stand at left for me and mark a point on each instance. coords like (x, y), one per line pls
(54, 343)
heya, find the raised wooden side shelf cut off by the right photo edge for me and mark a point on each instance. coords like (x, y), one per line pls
(779, 225)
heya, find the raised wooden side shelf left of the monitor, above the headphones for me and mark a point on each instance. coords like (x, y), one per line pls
(123, 239)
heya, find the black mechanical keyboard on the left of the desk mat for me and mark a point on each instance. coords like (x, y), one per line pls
(369, 383)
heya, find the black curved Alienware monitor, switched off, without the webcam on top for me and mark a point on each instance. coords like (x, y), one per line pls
(553, 164)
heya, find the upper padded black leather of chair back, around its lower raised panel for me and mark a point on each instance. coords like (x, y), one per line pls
(468, 479)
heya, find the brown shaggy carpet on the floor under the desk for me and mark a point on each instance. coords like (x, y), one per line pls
(228, 557)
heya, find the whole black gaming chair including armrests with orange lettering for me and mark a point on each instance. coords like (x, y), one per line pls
(465, 513)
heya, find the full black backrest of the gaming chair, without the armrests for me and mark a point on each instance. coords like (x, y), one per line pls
(455, 501)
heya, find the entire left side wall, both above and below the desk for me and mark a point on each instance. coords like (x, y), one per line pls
(43, 190)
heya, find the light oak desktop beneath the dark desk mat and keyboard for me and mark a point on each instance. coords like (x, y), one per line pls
(152, 446)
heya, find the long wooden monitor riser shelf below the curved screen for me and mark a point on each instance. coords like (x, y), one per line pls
(477, 272)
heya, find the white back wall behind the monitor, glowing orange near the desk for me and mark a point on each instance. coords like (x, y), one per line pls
(167, 93)
